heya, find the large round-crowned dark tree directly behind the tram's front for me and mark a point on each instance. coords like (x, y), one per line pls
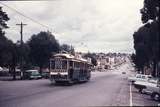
(42, 45)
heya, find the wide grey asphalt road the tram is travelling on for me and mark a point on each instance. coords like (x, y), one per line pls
(109, 88)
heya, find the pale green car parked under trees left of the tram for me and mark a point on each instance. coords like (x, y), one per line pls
(32, 74)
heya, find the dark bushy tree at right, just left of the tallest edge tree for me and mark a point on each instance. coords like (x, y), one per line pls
(143, 44)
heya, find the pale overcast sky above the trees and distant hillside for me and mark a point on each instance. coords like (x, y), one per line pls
(88, 25)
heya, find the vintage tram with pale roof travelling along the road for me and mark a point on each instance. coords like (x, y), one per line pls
(67, 68)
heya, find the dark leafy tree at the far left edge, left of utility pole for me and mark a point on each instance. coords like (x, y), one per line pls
(8, 51)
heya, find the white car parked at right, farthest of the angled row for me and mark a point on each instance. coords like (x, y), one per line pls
(139, 77)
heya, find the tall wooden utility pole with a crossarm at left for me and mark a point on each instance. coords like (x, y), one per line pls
(21, 45)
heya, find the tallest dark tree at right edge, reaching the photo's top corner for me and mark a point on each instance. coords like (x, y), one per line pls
(150, 11)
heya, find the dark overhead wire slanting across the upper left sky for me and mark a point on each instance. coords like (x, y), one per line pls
(25, 16)
